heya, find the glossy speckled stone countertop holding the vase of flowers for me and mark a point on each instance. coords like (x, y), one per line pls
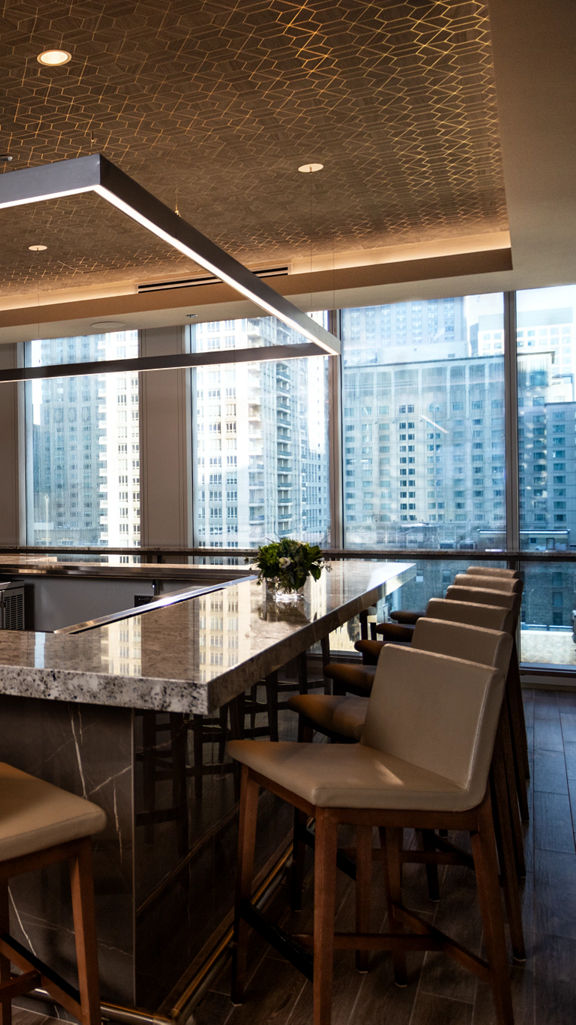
(196, 655)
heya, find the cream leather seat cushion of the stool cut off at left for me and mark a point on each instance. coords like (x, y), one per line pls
(36, 815)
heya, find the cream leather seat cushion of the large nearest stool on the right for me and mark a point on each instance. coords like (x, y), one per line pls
(350, 776)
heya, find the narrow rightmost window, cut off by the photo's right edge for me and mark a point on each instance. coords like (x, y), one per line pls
(547, 399)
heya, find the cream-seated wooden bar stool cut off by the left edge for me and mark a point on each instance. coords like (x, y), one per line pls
(42, 825)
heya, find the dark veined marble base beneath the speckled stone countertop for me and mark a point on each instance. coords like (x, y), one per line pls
(164, 867)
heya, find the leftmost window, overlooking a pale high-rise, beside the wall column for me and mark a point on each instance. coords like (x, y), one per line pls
(84, 446)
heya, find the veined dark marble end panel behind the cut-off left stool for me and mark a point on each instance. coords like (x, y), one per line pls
(89, 751)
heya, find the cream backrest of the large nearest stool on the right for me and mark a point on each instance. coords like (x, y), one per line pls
(438, 713)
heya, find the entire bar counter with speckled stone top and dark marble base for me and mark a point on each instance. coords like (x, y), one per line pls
(114, 713)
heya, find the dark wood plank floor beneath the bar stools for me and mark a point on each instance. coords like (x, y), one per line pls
(440, 993)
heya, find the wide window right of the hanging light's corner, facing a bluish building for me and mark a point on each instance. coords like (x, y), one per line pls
(424, 443)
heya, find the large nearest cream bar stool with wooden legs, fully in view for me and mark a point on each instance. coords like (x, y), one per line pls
(423, 763)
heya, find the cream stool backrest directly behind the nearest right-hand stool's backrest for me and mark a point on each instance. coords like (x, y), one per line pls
(475, 644)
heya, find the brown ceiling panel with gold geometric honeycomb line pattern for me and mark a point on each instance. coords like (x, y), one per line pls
(213, 105)
